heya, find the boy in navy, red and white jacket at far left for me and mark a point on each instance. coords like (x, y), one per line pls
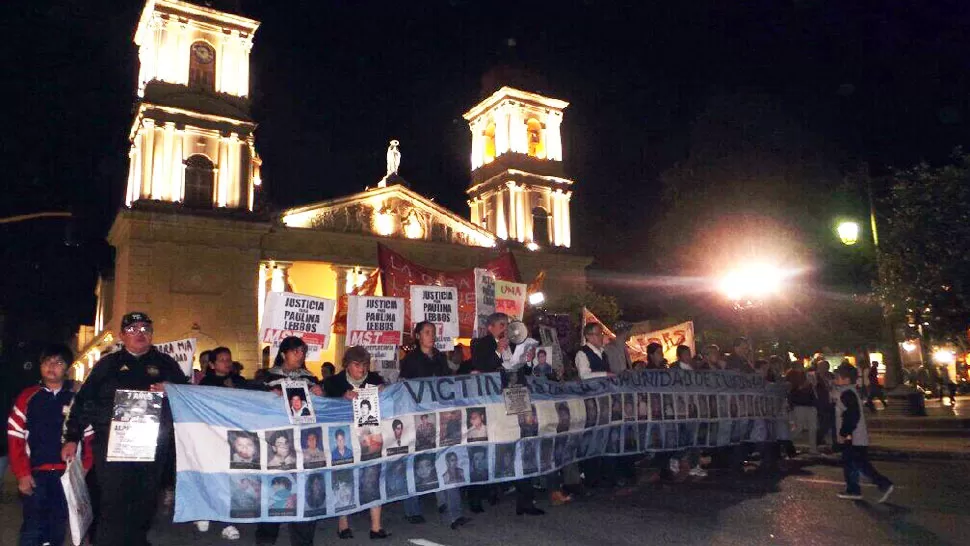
(34, 436)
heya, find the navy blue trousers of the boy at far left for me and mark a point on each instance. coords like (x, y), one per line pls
(45, 511)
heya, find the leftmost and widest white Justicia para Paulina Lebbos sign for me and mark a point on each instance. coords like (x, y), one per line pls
(287, 314)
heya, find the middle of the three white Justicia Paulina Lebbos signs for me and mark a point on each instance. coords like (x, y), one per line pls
(376, 323)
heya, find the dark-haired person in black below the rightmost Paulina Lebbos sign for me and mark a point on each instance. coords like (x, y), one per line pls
(424, 360)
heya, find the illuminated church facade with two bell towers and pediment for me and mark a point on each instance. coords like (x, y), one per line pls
(191, 252)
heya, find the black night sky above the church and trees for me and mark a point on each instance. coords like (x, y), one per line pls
(333, 81)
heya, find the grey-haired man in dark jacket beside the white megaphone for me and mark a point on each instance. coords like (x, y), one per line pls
(493, 353)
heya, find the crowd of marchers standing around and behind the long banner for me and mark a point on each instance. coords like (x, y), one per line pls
(52, 422)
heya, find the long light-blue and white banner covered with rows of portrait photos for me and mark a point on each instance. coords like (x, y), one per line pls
(239, 459)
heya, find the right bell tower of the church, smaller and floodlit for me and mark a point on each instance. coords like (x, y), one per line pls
(518, 190)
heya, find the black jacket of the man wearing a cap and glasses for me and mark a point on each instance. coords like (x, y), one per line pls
(94, 403)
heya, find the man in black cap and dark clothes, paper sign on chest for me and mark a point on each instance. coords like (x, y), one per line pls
(129, 490)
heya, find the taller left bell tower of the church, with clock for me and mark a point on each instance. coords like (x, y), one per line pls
(192, 137)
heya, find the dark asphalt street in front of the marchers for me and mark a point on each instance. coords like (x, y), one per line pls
(929, 507)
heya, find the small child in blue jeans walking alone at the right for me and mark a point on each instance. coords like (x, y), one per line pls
(854, 438)
